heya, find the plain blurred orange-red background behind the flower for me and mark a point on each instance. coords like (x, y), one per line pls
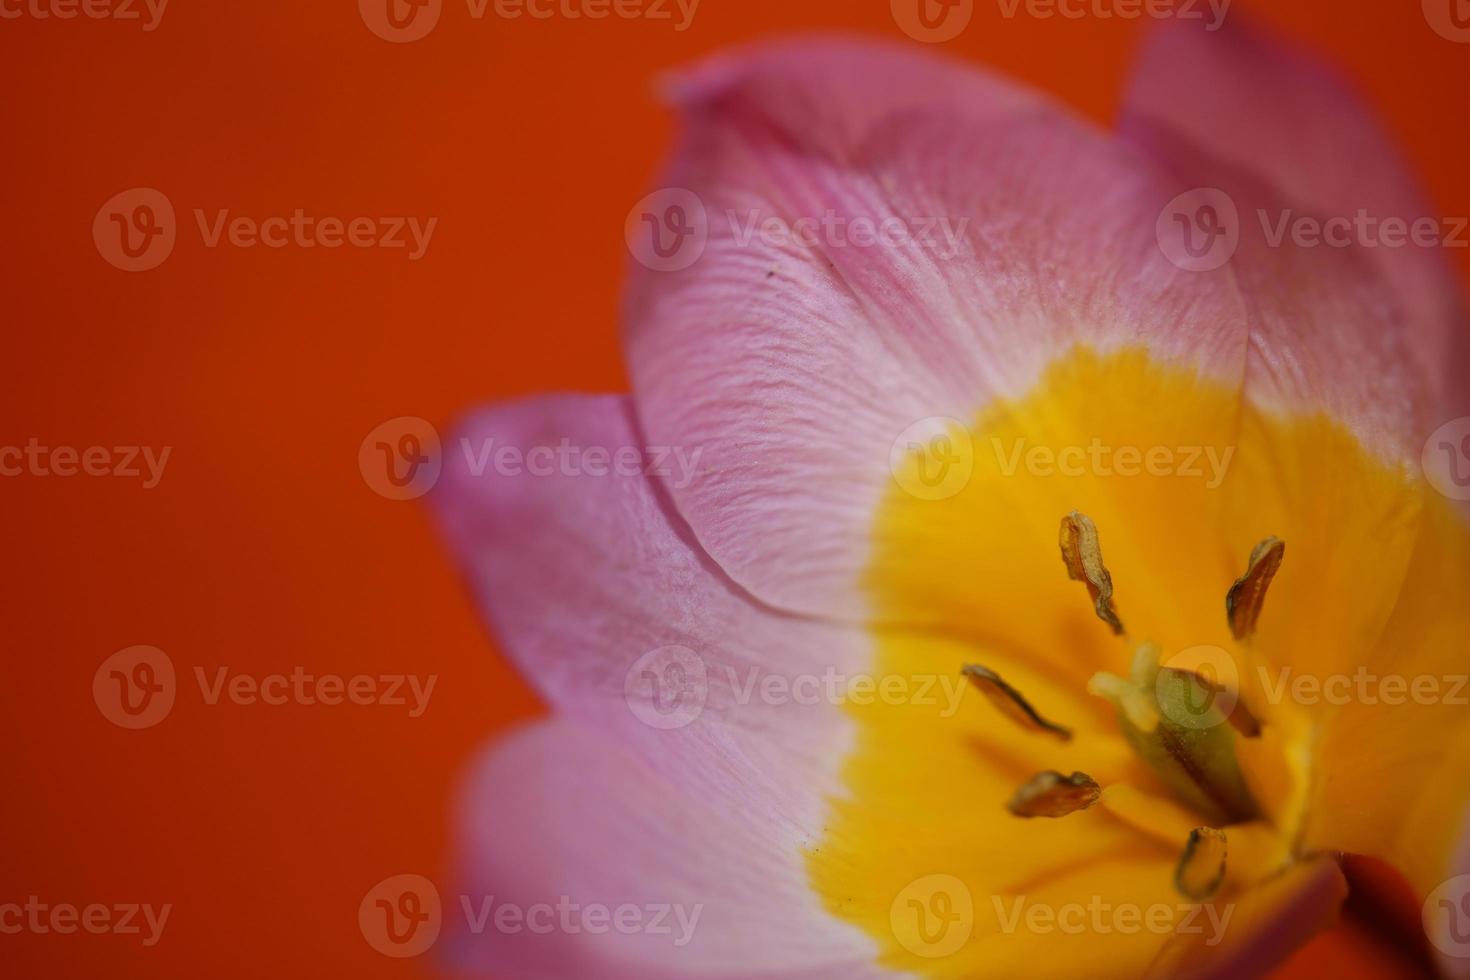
(264, 370)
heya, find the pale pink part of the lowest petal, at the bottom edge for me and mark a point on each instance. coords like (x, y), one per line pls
(562, 816)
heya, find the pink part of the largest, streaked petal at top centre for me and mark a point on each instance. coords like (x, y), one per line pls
(797, 367)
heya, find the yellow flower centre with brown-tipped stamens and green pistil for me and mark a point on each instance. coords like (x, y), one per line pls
(1090, 746)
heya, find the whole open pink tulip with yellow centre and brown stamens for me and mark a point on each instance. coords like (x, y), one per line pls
(828, 703)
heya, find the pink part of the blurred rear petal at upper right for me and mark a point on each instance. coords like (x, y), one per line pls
(1280, 131)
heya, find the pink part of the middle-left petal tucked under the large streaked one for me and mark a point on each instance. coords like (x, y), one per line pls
(586, 577)
